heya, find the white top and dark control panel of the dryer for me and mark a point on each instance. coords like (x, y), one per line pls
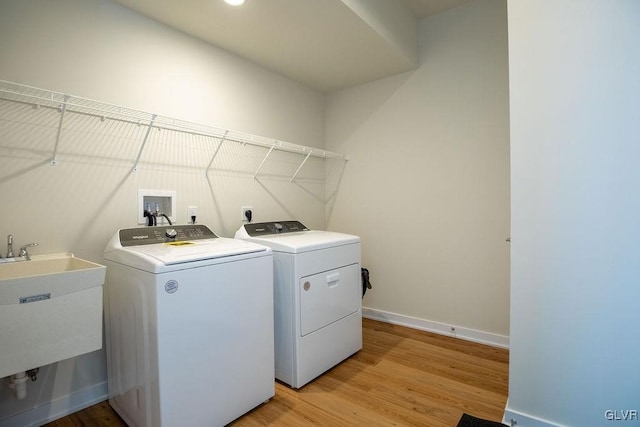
(287, 239)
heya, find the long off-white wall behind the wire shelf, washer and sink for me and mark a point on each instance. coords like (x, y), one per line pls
(99, 50)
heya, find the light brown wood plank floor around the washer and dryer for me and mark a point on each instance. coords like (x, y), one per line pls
(401, 377)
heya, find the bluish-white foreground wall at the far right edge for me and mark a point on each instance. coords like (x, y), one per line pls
(575, 121)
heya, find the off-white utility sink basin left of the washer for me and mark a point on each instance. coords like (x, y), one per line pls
(50, 310)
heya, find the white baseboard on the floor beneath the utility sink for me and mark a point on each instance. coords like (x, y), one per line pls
(65, 405)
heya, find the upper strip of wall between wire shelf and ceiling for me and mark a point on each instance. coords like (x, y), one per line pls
(103, 51)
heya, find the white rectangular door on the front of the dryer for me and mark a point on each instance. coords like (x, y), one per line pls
(328, 297)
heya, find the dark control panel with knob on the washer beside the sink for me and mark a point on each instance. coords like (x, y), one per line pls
(164, 234)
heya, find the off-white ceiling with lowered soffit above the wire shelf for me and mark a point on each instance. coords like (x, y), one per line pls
(324, 44)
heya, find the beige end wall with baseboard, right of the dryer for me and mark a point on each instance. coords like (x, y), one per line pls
(427, 186)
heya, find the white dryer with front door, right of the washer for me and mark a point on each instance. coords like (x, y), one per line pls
(317, 297)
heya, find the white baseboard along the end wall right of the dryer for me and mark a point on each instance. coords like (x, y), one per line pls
(437, 327)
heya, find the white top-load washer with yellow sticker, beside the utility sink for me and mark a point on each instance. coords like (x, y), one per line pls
(189, 326)
